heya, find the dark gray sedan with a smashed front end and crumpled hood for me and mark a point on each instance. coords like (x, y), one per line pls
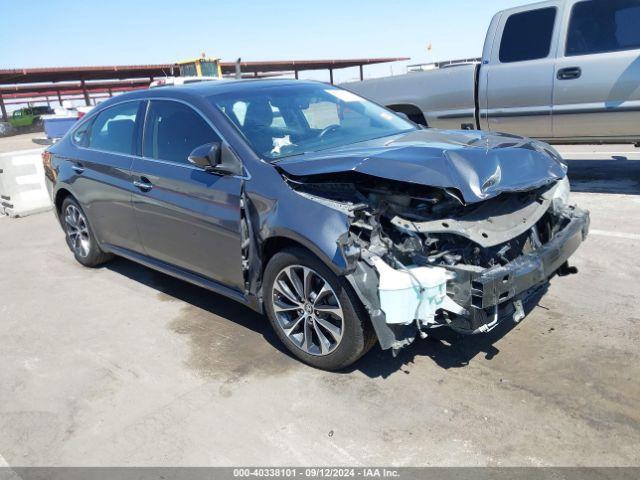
(343, 222)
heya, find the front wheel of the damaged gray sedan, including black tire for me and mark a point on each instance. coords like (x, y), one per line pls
(315, 314)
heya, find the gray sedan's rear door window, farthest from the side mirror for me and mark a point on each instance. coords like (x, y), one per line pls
(114, 128)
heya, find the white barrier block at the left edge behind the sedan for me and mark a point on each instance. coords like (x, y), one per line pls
(22, 188)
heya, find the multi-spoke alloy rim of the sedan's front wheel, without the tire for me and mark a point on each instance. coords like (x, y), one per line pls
(307, 310)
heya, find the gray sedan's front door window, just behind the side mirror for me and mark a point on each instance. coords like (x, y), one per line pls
(173, 130)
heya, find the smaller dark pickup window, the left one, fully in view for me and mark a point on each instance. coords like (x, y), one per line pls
(527, 35)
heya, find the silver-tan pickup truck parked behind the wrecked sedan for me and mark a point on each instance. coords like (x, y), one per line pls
(565, 71)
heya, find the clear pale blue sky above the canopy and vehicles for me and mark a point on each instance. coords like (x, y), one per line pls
(54, 33)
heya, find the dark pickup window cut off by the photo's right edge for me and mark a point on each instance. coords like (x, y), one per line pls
(599, 26)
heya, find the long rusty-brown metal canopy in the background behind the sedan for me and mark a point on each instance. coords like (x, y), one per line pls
(32, 83)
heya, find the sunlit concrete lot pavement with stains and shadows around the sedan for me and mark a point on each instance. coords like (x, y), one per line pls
(124, 366)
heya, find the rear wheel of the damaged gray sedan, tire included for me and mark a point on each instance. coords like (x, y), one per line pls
(79, 235)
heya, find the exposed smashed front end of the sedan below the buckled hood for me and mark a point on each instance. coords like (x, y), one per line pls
(467, 266)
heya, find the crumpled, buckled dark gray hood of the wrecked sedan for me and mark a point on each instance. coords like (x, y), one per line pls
(479, 165)
